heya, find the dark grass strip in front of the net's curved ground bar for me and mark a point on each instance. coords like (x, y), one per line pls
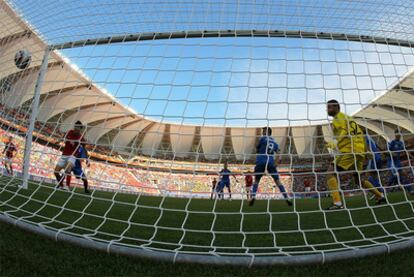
(27, 254)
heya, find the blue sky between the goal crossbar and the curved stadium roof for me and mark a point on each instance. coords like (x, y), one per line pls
(242, 81)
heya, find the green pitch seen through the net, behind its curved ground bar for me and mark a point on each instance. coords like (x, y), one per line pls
(159, 222)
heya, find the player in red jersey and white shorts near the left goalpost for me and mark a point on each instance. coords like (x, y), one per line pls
(73, 139)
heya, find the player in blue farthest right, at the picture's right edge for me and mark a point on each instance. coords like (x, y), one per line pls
(398, 176)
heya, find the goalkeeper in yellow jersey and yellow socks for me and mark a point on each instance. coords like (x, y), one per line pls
(352, 150)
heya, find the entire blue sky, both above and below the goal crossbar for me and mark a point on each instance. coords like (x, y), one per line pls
(232, 81)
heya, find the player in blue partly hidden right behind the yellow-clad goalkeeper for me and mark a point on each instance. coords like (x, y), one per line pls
(374, 162)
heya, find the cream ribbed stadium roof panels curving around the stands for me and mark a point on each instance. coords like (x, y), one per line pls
(69, 90)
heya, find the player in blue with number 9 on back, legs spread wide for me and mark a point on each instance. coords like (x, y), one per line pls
(265, 161)
